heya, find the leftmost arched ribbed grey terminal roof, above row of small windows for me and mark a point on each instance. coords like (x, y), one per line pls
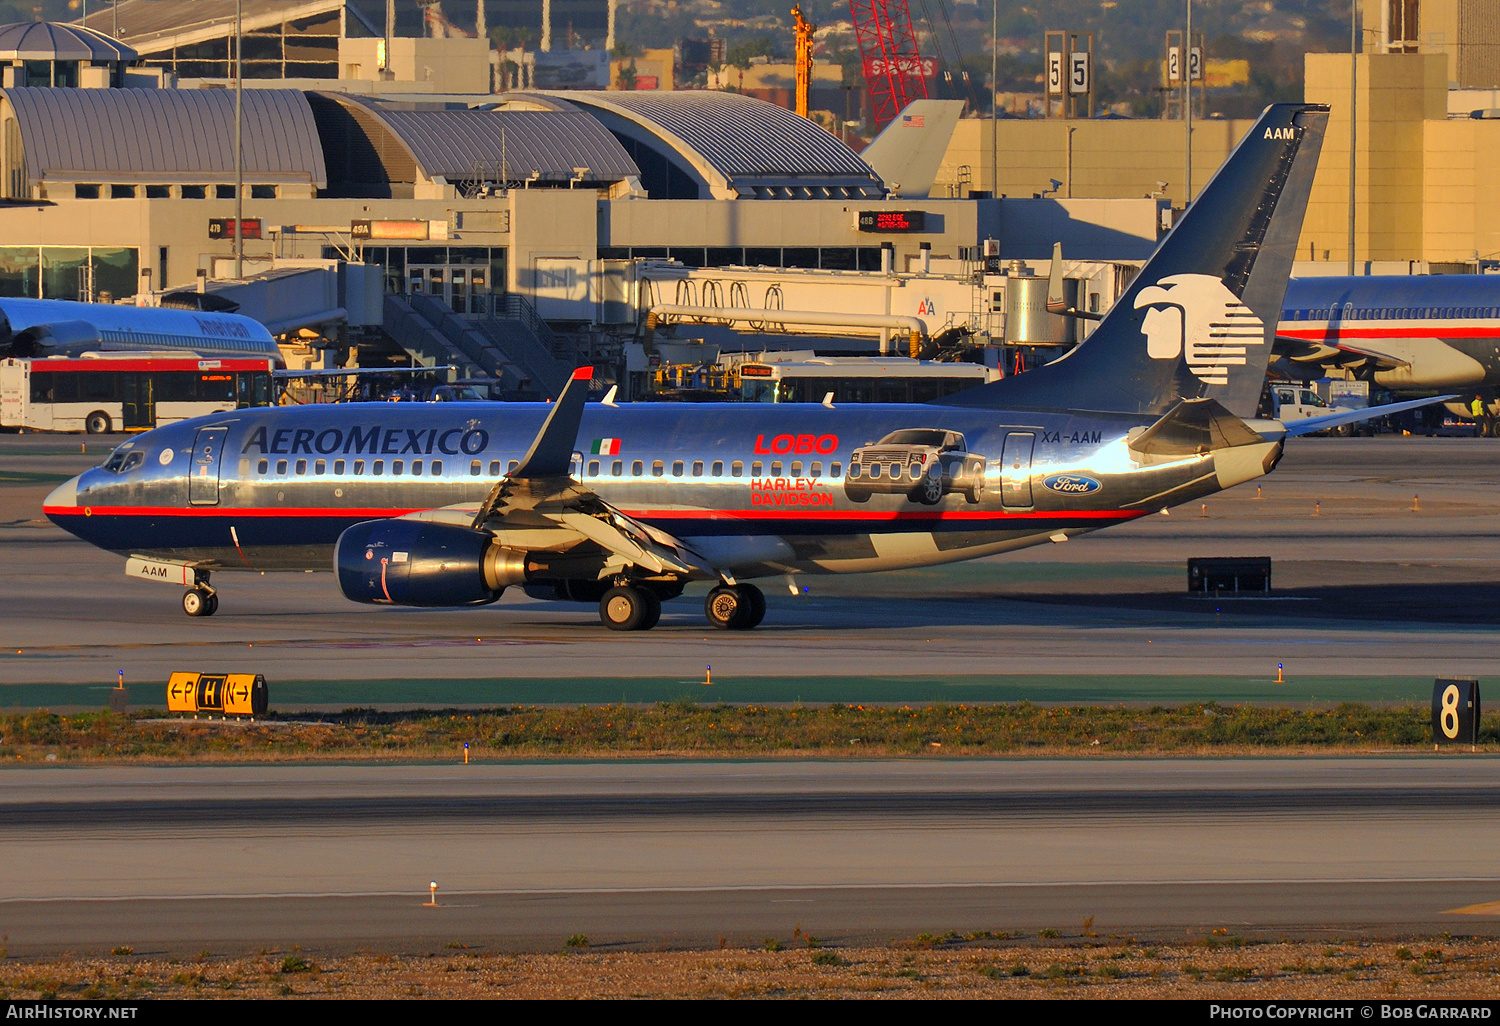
(164, 136)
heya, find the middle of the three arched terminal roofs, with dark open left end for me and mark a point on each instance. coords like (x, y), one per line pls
(473, 146)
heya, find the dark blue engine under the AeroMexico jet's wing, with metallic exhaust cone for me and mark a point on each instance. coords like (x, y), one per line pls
(418, 563)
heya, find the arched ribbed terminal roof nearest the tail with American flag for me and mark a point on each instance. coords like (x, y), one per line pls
(724, 146)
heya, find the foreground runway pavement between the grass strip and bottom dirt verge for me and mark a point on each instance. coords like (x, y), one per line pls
(689, 853)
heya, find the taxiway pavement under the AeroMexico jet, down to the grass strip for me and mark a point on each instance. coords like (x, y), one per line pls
(1387, 572)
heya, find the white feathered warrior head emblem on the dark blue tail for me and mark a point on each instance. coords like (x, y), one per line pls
(1196, 316)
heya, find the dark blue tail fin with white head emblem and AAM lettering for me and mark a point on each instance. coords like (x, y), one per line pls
(1207, 304)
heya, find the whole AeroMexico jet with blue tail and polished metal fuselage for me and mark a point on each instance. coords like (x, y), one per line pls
(448, 505)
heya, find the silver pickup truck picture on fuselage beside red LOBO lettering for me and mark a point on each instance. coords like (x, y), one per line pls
(925, 464)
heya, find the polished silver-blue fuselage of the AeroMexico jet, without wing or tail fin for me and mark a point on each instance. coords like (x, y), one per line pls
(755, 490)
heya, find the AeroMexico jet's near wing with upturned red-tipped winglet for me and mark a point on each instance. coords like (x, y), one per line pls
(542, 508)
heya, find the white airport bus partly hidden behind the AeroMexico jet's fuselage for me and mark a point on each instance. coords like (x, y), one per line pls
(859, 380)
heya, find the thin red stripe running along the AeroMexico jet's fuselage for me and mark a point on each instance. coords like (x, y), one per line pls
(866, 517)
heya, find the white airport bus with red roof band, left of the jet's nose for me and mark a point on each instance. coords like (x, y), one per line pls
(104, 392)
